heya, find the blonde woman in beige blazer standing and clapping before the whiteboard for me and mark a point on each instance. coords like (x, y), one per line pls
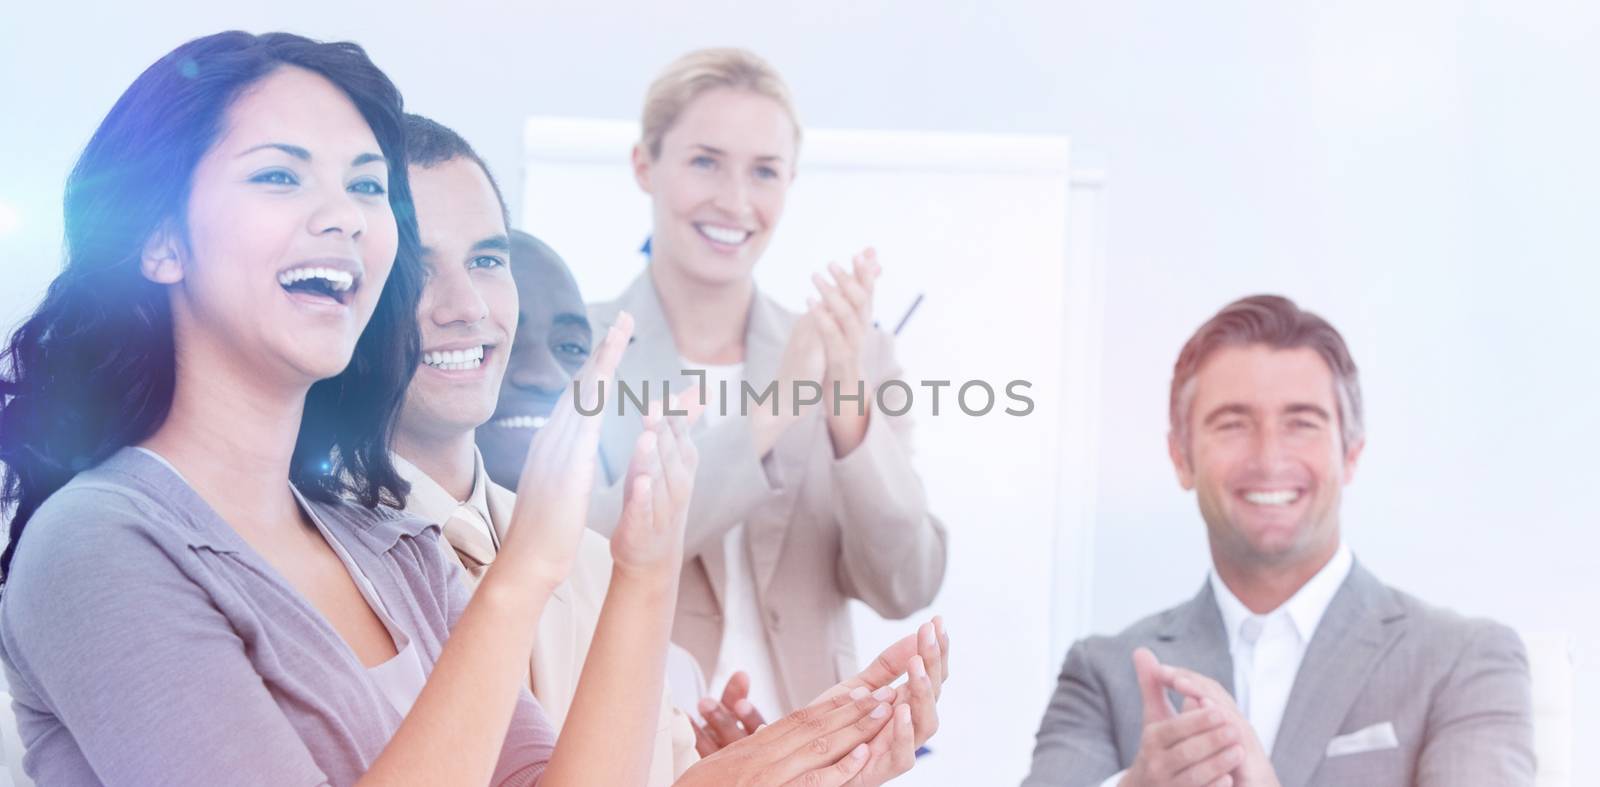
(796, 513)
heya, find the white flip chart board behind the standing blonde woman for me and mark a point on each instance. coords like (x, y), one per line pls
(1002, 241)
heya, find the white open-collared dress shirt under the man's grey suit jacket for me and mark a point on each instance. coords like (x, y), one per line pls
(1268, 649)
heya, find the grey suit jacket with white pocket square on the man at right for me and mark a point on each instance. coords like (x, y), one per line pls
(1457, 692)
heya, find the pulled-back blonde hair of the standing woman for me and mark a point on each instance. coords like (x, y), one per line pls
(698, 73)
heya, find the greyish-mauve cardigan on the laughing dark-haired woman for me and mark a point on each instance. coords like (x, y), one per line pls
(148, 644)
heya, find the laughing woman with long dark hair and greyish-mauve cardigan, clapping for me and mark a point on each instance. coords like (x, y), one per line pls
(201, 585)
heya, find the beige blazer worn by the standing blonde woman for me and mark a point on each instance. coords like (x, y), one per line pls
(820, 530)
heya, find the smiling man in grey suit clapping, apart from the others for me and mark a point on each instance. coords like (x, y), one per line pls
(1294, 666)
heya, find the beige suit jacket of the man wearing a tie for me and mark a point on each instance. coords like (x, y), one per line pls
(567, 626)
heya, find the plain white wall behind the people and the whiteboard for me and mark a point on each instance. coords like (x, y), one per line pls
(1423, 174)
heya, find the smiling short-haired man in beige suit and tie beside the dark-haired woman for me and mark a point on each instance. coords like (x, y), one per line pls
(470, 316)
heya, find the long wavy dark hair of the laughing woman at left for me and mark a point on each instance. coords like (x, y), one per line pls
(92, 370)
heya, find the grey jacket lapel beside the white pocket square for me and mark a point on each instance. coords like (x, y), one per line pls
(1356, 633)
